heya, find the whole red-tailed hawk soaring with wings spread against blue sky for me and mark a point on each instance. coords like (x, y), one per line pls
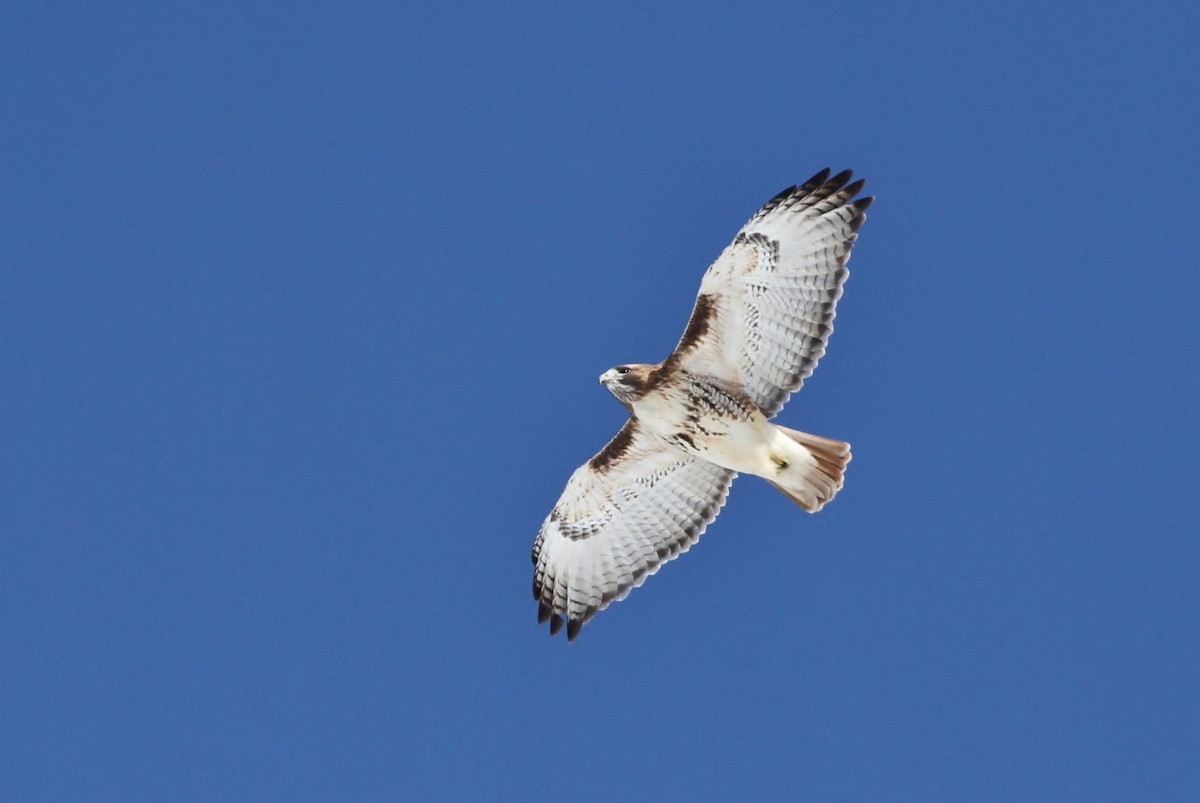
(701, 417)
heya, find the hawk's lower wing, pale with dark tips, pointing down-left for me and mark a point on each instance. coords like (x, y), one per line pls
(625, 513)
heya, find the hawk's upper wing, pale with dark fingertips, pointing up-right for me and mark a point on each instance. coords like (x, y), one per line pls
(766, 305)
